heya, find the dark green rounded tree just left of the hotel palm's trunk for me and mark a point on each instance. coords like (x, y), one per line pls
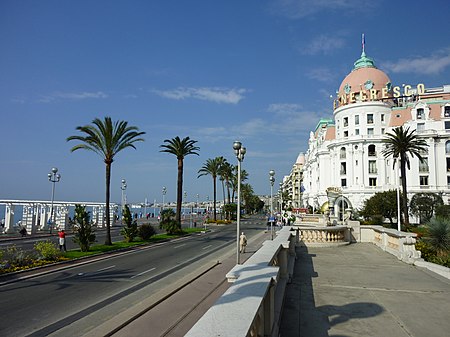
(381, 204)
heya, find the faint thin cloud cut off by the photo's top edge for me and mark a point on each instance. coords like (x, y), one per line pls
(297, 9)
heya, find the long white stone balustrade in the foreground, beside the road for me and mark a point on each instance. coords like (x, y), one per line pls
(252, 304)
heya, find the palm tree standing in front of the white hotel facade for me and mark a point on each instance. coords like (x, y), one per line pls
(400, 144)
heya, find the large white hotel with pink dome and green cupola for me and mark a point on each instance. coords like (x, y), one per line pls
(344, 153)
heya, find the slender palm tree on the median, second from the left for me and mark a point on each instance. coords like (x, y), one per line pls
(180, 148)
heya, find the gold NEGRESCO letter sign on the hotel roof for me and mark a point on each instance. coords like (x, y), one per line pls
(371, 94)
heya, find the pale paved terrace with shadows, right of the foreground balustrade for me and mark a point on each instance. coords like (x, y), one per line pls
(359, 290)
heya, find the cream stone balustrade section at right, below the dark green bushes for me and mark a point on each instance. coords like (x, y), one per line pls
(400, 244)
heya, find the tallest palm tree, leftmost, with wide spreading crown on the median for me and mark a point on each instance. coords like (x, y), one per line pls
(107, 138)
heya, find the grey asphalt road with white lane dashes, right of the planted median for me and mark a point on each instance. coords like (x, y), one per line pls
(42, 305)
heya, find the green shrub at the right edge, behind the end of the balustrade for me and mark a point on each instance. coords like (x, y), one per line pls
(439, 236)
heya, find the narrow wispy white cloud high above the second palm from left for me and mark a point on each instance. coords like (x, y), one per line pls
(217, 95)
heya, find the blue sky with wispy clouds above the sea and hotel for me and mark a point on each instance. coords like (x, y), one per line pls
(259, 71)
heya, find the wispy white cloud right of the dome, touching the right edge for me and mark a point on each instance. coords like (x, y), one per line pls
(432, 65)
